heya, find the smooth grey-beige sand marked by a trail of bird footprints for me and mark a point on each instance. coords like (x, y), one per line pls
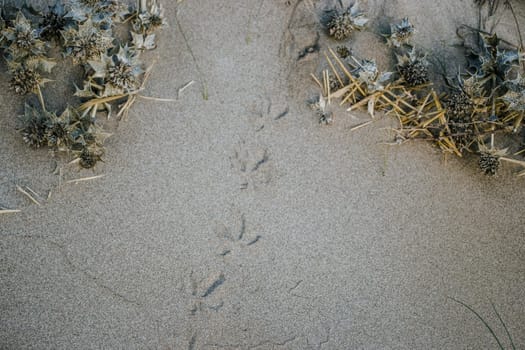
(218, 225)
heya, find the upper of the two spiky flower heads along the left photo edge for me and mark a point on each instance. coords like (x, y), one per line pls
(22, 40)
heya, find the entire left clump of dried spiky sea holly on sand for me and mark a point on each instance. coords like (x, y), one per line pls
(83, 32)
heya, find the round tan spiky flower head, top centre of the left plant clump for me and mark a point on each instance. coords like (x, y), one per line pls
(88, 42)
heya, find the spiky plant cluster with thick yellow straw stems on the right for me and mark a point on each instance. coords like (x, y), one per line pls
(482, 107)
